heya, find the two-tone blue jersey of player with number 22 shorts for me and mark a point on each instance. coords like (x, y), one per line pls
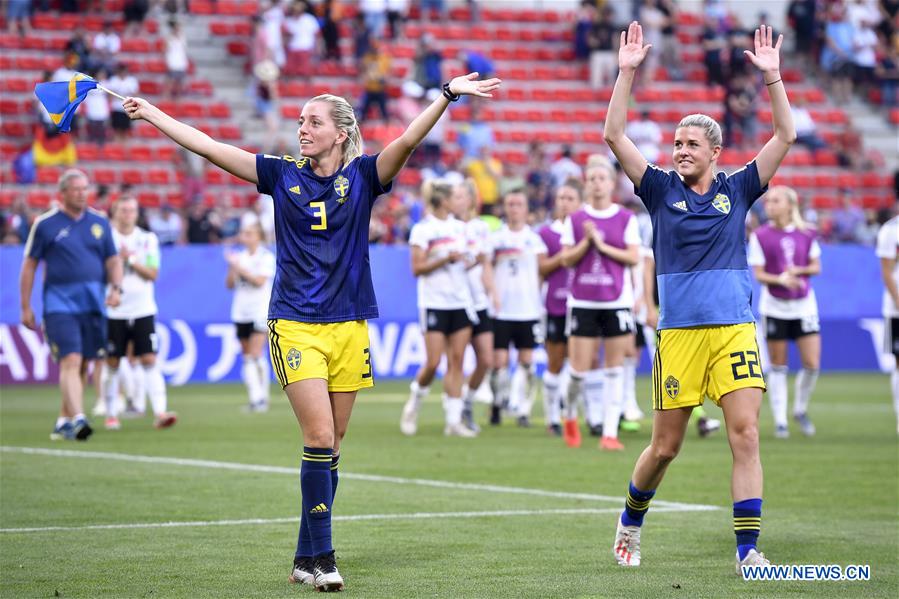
(699, 242)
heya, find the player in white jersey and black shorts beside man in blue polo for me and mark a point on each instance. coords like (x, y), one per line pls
(133, 320)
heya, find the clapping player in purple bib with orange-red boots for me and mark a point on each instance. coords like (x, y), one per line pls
(601, 241)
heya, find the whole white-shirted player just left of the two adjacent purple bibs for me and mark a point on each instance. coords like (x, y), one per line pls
(517, 254)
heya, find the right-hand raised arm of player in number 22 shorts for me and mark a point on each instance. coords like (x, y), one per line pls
(767, 59)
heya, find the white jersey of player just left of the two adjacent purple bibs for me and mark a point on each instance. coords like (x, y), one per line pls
(516, 273)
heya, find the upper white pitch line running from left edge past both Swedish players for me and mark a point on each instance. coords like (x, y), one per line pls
(422, 482)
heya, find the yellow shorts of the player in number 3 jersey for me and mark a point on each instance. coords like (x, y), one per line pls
(337, 352)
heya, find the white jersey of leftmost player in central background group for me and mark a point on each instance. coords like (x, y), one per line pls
(445, 288)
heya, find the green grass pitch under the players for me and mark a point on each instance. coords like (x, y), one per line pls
(830, 499)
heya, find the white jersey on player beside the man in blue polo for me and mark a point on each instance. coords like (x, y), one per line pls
(138, 293)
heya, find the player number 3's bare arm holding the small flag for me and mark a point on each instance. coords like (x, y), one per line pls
(239, 163)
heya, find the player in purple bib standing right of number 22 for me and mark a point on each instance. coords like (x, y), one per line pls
(783, 254)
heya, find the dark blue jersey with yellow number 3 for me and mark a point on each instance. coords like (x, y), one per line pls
(321, 225)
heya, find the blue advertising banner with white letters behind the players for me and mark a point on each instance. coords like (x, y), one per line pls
(198, 343)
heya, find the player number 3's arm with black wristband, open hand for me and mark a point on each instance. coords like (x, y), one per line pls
(395, 155)
